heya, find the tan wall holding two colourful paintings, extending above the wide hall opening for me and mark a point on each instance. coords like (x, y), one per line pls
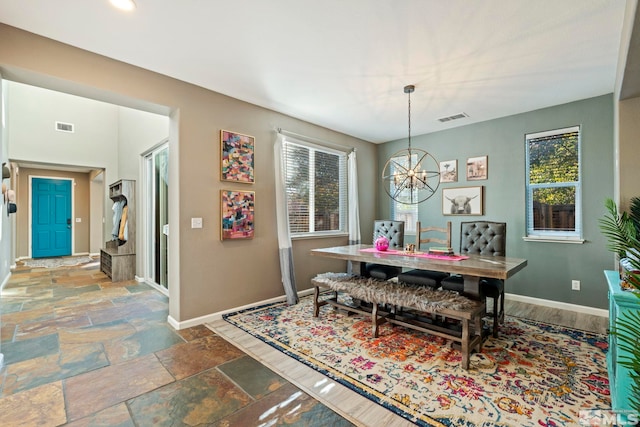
(205, 275)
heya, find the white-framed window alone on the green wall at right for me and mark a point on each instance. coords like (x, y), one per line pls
(553, 184)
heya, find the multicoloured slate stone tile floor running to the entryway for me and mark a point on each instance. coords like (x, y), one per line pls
(80, 350)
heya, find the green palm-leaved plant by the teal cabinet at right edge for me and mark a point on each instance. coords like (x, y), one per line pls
(622, 230)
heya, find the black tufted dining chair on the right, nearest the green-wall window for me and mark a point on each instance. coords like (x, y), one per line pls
(483, 238)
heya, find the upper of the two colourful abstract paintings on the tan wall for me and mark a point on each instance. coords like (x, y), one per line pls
(236, 157)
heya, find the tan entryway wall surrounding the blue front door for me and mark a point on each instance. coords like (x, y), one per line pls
(80, 190)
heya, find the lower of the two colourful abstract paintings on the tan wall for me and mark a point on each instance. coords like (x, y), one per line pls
(237, 214)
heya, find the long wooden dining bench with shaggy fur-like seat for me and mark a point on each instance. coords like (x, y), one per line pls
(406, 305)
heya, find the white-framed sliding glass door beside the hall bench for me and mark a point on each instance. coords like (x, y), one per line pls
(156, 199)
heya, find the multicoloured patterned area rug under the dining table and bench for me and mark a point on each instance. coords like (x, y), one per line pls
(535, 374)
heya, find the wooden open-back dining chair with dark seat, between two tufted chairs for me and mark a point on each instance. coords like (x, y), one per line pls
(424, 235)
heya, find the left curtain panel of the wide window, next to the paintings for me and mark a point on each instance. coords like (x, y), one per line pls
(282, 221)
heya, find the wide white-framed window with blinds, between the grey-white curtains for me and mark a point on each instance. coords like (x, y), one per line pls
(316, 181)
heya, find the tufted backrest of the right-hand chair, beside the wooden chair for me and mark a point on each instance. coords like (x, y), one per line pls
(483, 238)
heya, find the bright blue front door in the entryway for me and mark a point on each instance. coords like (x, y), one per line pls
(51, 217)
